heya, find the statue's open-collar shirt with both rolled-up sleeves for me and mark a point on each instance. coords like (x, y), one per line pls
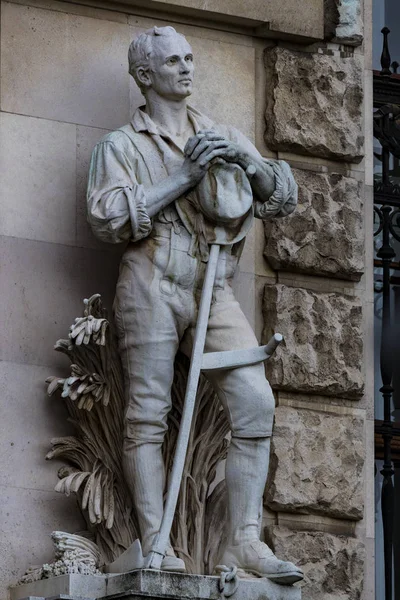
(127, 162)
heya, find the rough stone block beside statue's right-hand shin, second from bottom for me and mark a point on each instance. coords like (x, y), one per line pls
(316, 463)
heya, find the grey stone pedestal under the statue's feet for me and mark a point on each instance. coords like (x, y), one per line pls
(147, 585)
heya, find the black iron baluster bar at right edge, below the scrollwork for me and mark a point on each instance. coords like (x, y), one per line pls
(387, 254)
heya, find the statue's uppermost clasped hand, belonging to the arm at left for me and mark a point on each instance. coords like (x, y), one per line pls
(199, 151)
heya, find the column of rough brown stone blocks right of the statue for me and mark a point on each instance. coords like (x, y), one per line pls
(318, 500)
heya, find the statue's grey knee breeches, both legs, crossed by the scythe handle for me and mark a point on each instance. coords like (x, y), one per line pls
(152, 324)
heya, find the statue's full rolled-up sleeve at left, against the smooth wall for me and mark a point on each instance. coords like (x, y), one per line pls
(116, 202)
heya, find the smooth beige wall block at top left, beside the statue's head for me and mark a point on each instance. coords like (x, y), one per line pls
(64, 67)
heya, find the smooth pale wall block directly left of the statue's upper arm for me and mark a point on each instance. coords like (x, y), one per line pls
(37, 171)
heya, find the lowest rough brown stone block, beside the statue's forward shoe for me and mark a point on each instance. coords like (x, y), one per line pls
(332, 564)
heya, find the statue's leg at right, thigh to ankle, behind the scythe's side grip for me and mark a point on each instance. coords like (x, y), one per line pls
(249, 405)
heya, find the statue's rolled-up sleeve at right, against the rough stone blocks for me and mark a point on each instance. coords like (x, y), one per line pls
(283, 201)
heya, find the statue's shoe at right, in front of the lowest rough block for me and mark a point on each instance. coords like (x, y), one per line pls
(257, 558)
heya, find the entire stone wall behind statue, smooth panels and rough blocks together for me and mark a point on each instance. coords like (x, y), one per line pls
(64, 83)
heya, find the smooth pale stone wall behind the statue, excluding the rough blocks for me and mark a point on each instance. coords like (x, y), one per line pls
(64, 84)
